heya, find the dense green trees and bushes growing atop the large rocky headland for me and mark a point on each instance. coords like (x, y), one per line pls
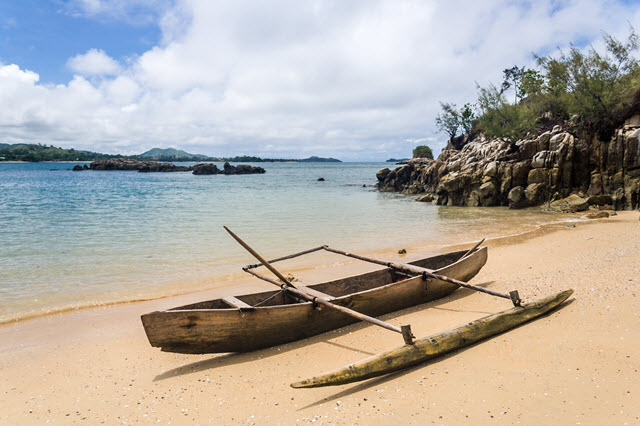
(597, 87)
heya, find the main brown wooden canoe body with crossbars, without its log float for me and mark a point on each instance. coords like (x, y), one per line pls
(259, 320)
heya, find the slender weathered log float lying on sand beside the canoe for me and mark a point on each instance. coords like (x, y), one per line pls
(435, 345)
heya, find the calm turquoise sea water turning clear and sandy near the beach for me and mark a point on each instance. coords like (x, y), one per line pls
(74, 239)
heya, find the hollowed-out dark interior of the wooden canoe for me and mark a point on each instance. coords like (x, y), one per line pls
(336, 288)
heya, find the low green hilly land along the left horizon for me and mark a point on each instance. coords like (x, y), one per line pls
(40, 152)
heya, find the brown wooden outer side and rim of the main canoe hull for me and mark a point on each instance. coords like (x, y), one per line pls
(190, 329)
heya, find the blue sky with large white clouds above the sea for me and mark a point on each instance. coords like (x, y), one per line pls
(358, 80)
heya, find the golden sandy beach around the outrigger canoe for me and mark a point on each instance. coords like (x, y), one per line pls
(578, 365)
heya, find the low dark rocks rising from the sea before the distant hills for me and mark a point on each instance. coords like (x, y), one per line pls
(154, 166)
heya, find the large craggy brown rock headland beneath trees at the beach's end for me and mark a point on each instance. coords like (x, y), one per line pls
(530, 172)
